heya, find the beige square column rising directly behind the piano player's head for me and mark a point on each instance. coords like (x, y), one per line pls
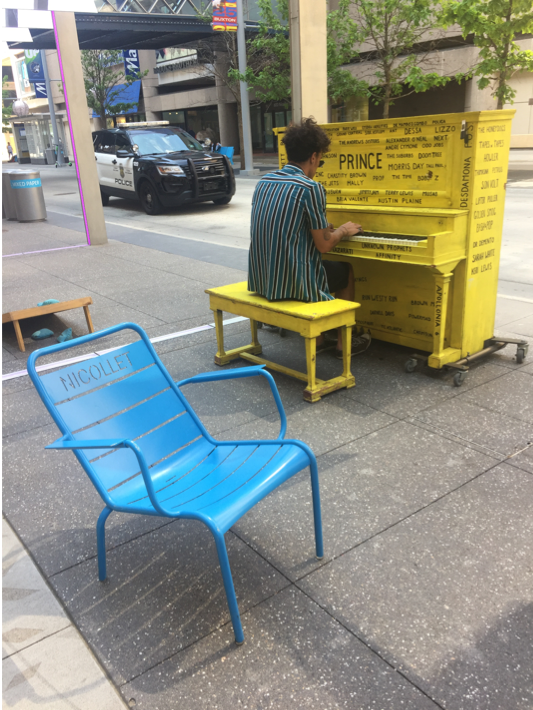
(309, 59)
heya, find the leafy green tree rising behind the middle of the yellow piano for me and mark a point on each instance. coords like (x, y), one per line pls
(395, 31)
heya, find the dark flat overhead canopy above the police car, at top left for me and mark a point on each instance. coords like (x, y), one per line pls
(116, 30)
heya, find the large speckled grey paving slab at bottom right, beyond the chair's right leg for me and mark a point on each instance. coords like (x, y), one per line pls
(442, 597)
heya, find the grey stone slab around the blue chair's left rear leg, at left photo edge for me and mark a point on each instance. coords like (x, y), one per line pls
(50, 500)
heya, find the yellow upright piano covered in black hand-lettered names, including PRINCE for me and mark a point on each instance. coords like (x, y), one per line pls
(429, 192)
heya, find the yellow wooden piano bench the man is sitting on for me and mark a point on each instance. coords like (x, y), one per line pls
(307, 319)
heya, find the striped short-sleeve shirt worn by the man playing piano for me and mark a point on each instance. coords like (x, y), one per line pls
(284, 261)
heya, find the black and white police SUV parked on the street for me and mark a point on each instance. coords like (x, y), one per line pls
(160, 165)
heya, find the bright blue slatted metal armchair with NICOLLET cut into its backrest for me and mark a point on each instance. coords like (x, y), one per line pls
(147, 452)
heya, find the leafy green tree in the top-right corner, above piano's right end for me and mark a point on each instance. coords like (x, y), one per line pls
(495, 25)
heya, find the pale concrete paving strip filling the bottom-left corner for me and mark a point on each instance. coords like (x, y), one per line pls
(45, 662)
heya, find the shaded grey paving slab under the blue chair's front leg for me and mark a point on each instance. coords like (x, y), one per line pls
(164, 592)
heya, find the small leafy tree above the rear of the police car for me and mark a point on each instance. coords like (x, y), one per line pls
(101, 81)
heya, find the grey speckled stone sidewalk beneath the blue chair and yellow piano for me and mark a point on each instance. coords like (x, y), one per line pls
(424, 599)
